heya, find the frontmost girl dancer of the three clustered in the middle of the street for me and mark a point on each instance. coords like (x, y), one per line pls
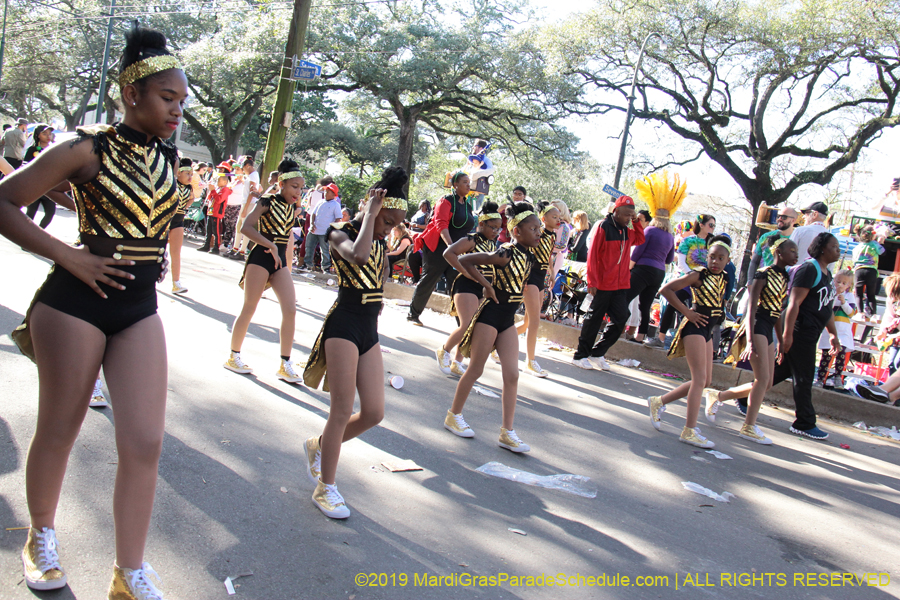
(493, 326)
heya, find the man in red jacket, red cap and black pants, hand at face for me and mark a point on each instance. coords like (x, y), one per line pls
(609, 278)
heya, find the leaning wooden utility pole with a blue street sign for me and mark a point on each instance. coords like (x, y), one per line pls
(284, 99)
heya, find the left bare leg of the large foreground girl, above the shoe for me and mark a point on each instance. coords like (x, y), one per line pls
(68, 352)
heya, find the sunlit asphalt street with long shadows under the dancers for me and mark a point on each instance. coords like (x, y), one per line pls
(233, 497)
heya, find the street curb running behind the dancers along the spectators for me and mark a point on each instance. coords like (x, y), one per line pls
(843, 407)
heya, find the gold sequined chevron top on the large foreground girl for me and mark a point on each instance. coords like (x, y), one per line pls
(134, 195)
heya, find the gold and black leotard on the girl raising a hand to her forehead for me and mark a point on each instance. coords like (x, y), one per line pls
(360, 294)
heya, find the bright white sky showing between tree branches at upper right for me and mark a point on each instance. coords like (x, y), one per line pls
(599, 136)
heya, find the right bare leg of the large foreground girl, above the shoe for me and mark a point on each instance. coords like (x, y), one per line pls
(136, 374)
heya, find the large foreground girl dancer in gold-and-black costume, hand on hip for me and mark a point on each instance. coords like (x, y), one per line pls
(98, 307)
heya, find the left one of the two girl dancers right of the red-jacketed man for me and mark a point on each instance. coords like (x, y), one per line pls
(694, 337)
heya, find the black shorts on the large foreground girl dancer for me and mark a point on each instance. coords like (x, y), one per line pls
(119, 311)
